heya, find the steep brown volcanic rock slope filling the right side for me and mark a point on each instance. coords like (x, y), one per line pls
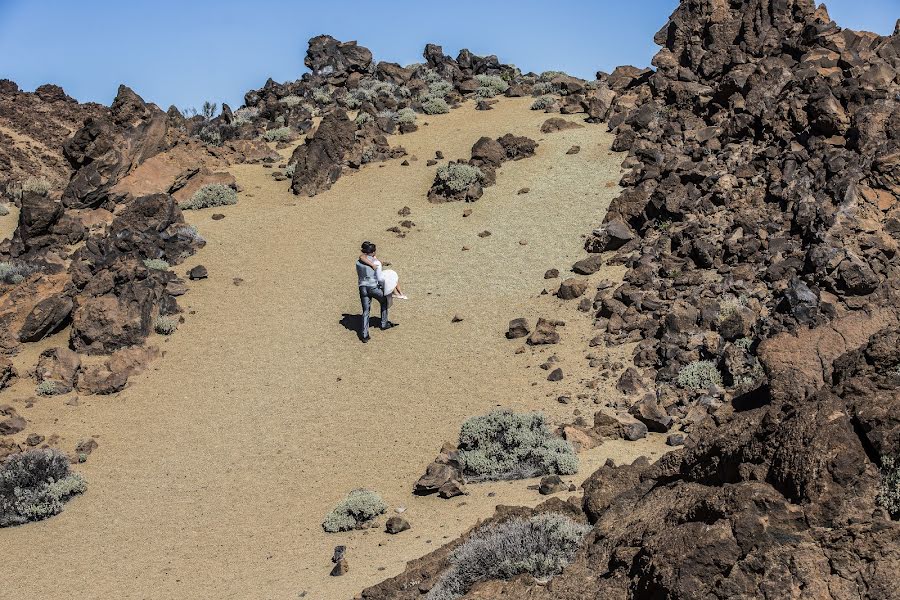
(759, 228)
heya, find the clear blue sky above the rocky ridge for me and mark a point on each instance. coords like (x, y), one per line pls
(184, 52)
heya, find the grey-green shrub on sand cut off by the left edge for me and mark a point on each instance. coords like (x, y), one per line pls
(34, 485)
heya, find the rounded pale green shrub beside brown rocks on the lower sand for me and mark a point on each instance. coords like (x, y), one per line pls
(508, 445)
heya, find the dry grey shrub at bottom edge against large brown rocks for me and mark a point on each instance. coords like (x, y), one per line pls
(542, 546)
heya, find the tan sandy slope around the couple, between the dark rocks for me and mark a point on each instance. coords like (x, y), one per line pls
(218, 464)
